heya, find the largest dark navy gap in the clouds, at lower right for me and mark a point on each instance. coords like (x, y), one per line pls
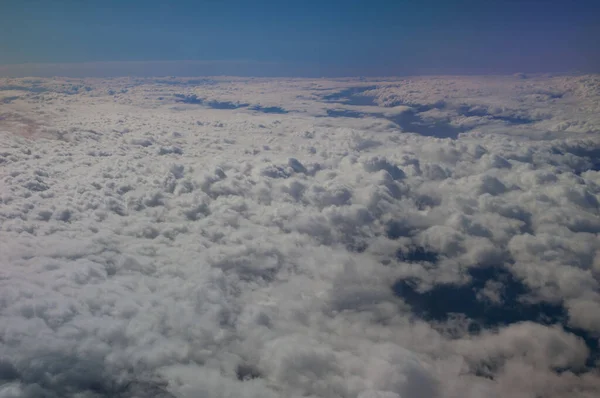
(509, 306)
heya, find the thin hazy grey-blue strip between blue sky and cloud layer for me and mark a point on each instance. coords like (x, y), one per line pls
(237, 68)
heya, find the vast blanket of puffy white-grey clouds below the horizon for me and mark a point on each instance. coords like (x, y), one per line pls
(156, 248)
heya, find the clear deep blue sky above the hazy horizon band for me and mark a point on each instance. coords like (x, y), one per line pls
(350, 37)
